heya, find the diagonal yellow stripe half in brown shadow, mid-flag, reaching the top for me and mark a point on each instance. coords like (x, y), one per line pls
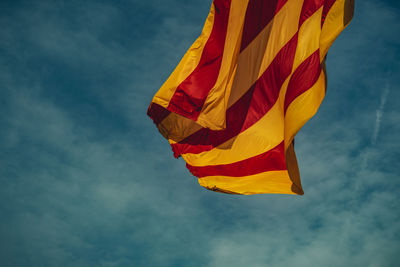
(258, 55)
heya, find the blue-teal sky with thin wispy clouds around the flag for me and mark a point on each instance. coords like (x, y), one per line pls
(87, 180)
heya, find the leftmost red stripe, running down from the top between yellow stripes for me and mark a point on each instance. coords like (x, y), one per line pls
(190, 95)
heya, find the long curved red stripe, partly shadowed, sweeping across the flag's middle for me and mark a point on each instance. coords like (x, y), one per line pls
(248, 109)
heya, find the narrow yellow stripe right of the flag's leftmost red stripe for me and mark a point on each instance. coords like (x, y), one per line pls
(213, 113)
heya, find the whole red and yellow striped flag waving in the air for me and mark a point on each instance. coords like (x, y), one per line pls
(242, 91)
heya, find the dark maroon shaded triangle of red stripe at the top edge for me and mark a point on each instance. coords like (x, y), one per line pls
(258, 14)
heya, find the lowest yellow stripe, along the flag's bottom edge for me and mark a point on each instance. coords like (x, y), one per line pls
(274, 182)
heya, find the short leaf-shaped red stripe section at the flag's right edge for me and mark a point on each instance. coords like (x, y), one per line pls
(303, 78)
